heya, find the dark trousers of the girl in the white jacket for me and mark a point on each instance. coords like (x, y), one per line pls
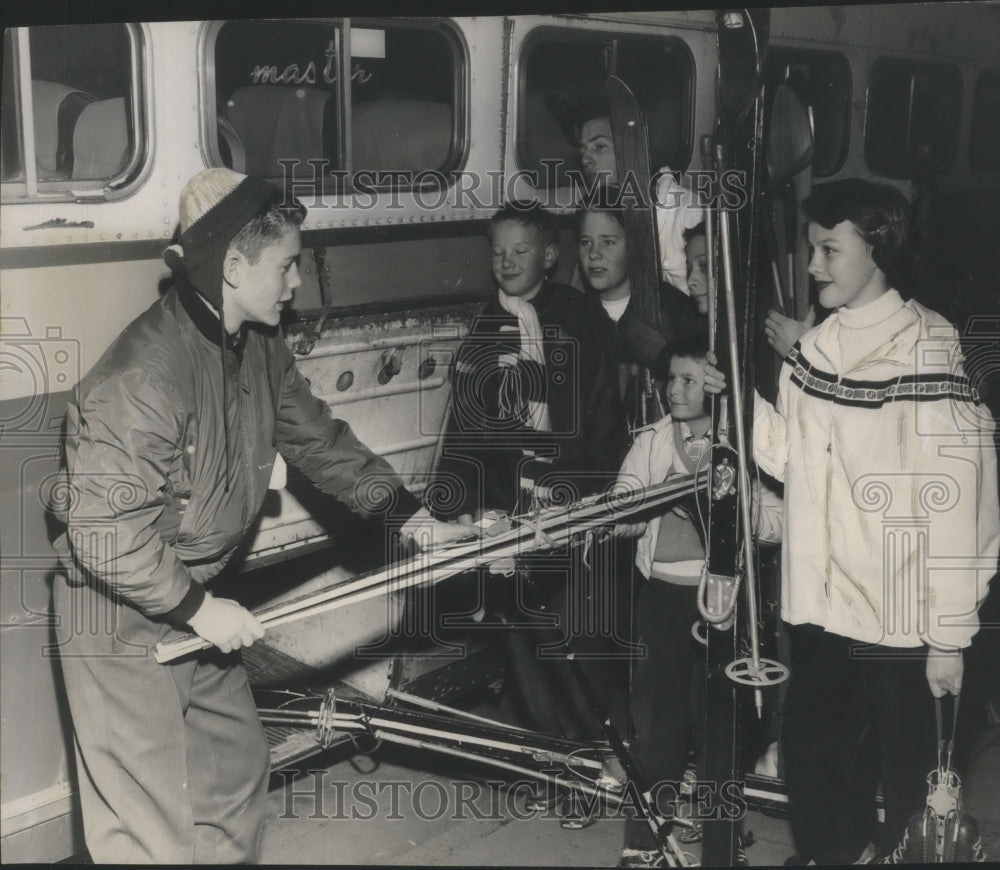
(855, 715)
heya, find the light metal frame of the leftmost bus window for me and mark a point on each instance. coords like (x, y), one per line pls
(132, 175)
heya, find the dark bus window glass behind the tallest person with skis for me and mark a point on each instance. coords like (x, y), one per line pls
(563, 73)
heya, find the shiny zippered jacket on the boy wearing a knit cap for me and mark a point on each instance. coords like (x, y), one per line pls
(154, 504)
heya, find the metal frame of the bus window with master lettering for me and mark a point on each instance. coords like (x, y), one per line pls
(459, 140)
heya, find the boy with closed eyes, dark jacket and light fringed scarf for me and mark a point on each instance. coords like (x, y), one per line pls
(533, 402)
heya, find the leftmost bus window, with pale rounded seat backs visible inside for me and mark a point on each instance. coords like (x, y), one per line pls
(83, 105)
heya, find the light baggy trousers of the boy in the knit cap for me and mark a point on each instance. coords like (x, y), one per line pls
(172, 761)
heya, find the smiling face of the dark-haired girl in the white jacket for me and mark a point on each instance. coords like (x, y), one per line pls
(841, 264)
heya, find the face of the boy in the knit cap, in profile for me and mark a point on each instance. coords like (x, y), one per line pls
(257, 292)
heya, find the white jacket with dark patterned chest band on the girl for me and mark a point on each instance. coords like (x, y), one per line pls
(887, 455)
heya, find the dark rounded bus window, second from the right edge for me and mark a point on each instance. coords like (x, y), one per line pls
(913, 115)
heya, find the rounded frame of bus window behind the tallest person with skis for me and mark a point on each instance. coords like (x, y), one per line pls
(595, 36)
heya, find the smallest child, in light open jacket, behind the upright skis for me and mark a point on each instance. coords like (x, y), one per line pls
(671, 557)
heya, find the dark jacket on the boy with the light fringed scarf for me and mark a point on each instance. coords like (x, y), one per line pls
(489, 454)
